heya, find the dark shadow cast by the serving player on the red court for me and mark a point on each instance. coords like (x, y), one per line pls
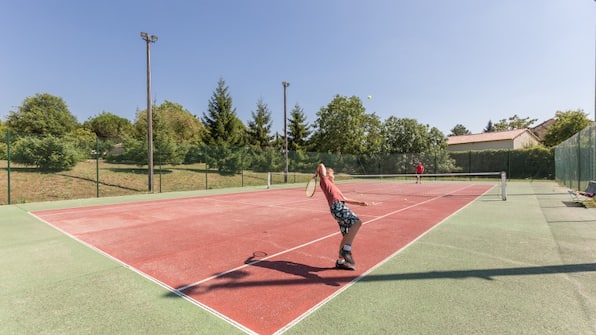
(309, 273)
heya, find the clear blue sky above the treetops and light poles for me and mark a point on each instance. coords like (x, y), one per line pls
(439, 62)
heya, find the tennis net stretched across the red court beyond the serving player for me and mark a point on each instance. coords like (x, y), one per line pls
(436, 183)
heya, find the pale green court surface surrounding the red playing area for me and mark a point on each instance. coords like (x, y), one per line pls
(522, 266)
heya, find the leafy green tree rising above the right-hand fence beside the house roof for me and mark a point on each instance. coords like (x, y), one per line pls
(566, 125)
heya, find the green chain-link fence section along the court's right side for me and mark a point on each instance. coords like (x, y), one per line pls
(575, 159)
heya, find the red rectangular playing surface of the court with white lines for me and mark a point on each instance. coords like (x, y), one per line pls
(260, 260)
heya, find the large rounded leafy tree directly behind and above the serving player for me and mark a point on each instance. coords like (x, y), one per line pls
(341, 127)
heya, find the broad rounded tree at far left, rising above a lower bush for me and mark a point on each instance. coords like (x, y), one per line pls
(42, 114)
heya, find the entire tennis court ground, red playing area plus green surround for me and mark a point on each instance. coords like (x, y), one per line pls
(262, 262)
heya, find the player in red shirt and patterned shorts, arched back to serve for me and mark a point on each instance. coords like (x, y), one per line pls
(348, 222)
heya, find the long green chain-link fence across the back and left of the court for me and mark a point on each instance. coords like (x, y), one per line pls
(46, 168)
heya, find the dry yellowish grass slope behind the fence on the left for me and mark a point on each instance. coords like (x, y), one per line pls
(31, 185)
